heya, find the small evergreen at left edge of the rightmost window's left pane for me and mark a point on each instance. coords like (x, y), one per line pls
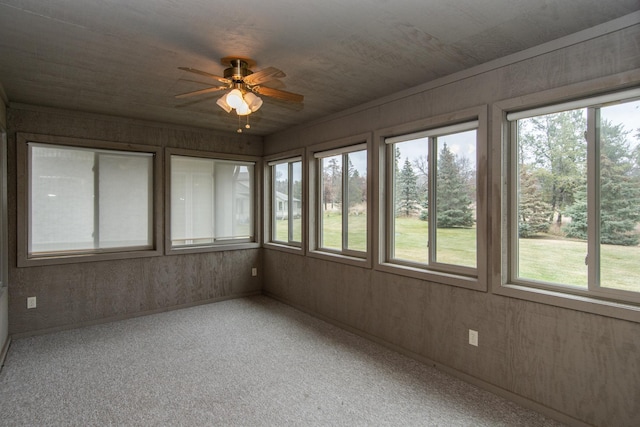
(534, 214)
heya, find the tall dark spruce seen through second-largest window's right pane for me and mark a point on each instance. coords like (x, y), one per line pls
(453, 204)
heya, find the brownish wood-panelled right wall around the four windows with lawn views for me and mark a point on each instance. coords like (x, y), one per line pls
(577, 366)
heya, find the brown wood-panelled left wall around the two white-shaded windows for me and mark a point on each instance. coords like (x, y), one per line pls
(71, 295)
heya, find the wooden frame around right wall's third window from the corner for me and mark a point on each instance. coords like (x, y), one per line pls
(470, 278)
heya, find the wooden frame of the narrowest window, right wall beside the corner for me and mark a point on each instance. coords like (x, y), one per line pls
(269, 162)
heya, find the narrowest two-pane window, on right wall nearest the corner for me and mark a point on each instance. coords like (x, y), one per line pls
(286, 201)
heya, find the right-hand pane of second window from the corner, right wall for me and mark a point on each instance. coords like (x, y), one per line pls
(357, 201)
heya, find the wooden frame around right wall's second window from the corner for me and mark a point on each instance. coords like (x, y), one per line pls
(339, 146)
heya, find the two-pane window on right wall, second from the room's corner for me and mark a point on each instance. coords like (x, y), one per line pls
(341, 201)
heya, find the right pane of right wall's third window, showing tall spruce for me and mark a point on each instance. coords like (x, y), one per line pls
(456, 199)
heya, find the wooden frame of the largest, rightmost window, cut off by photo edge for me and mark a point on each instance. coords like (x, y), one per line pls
(503, 255)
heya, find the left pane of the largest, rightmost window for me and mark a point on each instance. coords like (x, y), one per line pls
(552, 228)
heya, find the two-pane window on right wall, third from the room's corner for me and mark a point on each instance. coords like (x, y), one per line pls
(431, 207)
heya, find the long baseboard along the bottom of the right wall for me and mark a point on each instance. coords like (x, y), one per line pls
(516, 398)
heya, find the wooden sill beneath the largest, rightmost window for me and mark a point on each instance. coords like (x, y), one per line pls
(586, 304)
